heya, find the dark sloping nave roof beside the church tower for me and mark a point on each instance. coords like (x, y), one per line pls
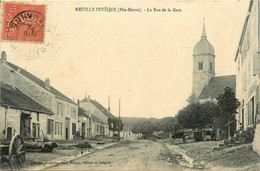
(216, 86)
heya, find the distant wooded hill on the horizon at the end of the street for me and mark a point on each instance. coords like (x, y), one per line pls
(129, 122)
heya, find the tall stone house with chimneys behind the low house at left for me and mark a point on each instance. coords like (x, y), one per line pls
(63, 124)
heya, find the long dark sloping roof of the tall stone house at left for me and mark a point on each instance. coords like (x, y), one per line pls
(40, 82)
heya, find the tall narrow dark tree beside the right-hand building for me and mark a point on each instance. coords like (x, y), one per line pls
(227, 104)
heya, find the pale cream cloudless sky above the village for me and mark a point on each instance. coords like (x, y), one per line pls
(143, 58)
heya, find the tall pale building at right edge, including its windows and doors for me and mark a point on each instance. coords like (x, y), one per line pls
(248, 69)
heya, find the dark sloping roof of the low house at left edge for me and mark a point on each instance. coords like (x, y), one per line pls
(14, 98)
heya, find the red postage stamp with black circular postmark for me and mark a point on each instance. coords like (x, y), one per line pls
(23, 22)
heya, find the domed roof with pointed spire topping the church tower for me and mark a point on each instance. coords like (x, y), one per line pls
(203, 47)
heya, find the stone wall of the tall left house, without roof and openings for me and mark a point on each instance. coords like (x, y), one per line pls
(43, 97)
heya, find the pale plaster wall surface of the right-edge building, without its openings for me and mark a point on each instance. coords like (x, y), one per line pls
(247, 83)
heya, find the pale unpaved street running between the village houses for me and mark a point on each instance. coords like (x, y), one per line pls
(137, 155)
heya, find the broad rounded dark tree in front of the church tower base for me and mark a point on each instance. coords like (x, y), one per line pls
(195, 114)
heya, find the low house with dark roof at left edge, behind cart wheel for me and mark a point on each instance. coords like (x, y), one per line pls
(20, 114)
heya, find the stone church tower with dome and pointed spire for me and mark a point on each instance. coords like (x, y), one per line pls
(203, 63)
